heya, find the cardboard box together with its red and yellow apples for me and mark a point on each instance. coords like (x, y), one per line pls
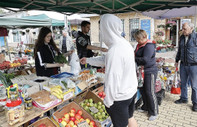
(69, 112)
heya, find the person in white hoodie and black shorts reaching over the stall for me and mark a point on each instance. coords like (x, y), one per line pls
(120, 72)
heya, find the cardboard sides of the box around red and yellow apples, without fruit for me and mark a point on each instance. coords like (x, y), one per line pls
(60, 113)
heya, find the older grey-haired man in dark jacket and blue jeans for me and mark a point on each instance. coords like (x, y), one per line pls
(187, 54)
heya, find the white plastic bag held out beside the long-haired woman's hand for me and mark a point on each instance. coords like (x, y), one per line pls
(74, 63)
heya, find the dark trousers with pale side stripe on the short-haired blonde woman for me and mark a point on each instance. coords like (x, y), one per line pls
(148, 94)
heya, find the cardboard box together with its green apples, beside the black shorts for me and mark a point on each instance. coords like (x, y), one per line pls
(94, 106)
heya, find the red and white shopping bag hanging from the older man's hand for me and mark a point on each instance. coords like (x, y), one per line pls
(176, 87)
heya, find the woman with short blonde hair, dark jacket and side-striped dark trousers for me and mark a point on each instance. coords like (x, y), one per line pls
(145, 56)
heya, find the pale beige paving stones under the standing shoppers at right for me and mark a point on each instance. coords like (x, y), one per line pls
(170, 114)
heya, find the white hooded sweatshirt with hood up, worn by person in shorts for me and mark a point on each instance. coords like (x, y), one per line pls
(120, 71)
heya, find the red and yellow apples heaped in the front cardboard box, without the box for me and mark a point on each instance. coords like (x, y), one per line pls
(73, 118)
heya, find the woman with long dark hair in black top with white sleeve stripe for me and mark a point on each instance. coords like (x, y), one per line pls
(44, 53)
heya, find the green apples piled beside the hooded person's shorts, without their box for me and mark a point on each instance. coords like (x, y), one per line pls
(97, 110)
